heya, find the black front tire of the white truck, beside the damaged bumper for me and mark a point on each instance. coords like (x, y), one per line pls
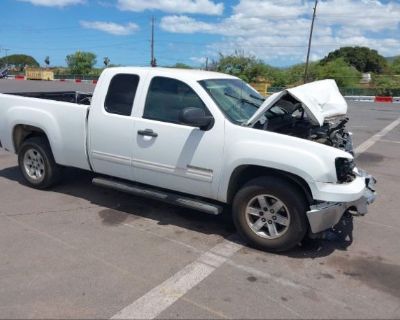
(294, 202)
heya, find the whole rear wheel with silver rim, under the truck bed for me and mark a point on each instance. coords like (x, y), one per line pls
(37, 164)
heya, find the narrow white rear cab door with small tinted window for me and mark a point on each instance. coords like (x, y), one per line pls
(111, 126)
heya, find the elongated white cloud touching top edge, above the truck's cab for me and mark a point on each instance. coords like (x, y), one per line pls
(173, 6)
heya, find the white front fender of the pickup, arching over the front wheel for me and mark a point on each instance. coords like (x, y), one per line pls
(311, 161)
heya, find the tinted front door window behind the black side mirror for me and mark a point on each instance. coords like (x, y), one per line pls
(167, 98)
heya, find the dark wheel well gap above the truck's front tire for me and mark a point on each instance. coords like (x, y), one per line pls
(245, 173)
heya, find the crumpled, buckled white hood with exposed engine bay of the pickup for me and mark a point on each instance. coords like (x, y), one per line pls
(314, 111)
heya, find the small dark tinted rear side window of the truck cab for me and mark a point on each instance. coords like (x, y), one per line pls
(121, 94)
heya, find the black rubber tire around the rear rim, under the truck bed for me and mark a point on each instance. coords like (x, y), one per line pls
(50, 170)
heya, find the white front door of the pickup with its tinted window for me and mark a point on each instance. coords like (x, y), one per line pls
(171, 155)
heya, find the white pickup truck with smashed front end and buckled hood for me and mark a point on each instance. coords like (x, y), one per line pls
(203, 140)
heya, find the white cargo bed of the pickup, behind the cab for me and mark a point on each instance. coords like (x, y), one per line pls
(62, 120)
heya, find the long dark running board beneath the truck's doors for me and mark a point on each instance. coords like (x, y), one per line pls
(164, 196)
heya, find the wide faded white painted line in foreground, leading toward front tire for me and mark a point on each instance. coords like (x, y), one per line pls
(163, 296)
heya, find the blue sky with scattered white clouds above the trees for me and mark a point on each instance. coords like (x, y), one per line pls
(188, 31)
